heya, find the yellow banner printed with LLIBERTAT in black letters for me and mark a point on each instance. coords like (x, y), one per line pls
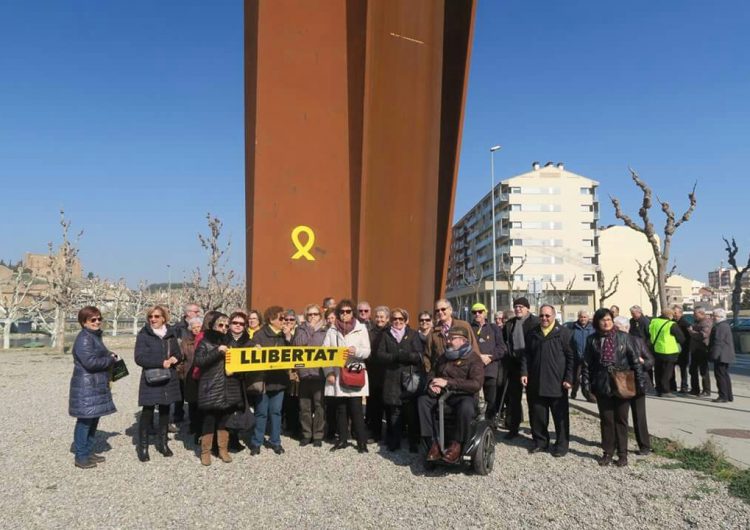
(283, 358)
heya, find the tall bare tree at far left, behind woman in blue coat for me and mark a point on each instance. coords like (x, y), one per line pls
(63, 285)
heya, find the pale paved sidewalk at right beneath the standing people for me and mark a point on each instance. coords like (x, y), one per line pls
(690, 419)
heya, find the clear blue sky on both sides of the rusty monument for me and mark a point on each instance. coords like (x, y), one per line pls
(129, 115)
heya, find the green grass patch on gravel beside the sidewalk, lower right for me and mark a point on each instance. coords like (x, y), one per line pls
(708, 459)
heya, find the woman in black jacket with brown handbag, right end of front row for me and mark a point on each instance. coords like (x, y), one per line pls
(606, 350)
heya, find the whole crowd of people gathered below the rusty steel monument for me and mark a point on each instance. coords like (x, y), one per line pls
(406, 370)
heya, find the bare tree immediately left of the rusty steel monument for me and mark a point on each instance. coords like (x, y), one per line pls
(214, 292)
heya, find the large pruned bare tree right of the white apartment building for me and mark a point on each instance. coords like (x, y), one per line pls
(661, 252)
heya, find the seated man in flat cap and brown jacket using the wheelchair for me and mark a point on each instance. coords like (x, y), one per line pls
(459, 370)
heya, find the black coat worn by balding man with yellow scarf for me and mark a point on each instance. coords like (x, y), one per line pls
(548, 361)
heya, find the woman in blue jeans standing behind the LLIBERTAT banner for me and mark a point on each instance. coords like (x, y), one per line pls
(268, 386)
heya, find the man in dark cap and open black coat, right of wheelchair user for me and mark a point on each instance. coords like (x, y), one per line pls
(514, 334)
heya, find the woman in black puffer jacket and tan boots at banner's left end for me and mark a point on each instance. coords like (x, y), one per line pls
(219, 394)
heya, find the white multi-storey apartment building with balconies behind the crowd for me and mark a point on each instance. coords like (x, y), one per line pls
(546, 241)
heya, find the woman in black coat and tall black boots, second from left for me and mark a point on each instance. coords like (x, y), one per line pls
(156, 346)
